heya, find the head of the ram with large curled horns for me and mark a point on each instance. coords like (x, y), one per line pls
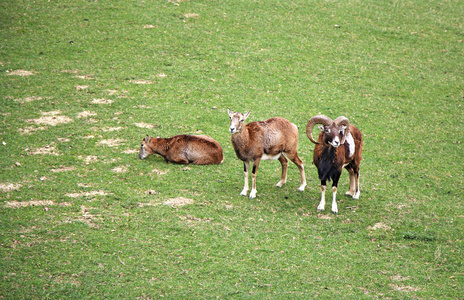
(332, 132)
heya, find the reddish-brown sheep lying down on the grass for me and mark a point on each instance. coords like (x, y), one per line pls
(184, 149)
